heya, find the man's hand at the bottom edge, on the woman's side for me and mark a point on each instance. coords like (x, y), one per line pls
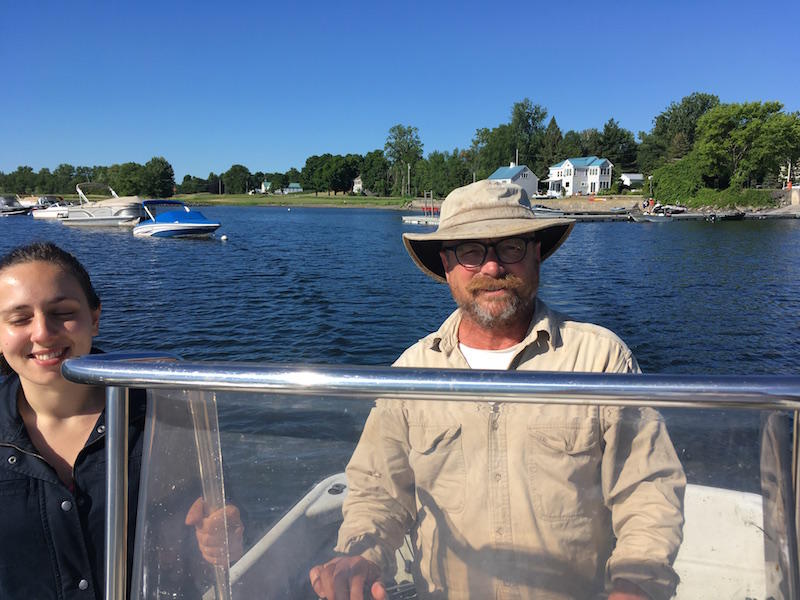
(348, 578)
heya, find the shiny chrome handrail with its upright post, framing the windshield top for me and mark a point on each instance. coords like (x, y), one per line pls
(126, 370)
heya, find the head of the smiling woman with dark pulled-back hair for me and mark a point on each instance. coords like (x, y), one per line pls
(45, 318)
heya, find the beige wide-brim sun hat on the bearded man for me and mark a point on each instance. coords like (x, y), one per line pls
(484, 210)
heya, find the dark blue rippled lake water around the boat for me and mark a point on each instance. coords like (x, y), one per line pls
(335, 286)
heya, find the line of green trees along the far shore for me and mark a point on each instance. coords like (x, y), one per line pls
(694, 144)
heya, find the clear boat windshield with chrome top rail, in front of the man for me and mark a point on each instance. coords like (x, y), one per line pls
(275, 441)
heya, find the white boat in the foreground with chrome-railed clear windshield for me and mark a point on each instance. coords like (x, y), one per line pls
(739, 537)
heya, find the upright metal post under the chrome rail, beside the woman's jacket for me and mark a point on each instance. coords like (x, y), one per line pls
(116, 494)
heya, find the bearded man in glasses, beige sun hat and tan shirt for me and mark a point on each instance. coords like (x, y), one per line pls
(508, 500)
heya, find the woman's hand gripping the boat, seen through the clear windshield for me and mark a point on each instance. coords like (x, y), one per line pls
(210, 532)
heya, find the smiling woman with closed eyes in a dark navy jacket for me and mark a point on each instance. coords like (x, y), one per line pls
(52, 436)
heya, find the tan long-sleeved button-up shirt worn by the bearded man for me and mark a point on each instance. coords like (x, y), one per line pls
(519, 501)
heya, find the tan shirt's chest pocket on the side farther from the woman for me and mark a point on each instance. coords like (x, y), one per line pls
(563, 462)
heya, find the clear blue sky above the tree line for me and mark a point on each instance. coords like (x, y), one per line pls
(267, 84)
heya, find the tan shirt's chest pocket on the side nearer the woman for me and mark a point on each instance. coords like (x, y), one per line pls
(437, 458)
